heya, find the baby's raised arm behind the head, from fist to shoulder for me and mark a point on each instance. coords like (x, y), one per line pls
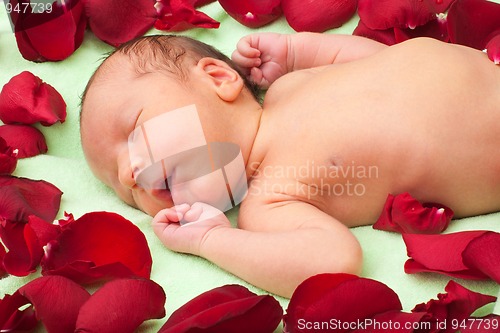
(267, 56)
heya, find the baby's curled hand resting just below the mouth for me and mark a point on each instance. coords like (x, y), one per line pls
(183, 228)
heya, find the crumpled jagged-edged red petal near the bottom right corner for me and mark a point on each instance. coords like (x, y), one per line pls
(456, 305)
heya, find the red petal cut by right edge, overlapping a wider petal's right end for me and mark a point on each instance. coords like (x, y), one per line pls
(483, 254)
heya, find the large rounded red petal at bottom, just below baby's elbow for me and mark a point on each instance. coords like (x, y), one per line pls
(344, 297)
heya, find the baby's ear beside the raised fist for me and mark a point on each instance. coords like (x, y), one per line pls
(226, 81)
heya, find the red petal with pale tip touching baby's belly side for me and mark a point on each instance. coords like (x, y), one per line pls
(402, 213)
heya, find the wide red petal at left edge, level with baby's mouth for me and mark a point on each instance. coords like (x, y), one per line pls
(22, 197)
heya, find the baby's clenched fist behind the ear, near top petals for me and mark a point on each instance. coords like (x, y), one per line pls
(263, 57)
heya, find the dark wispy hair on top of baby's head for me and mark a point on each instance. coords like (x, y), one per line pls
(167, 52)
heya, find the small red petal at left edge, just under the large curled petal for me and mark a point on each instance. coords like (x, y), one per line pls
(28, 140)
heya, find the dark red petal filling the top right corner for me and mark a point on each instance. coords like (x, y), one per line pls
(473, 22)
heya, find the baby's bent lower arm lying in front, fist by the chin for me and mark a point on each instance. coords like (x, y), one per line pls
(281, 246)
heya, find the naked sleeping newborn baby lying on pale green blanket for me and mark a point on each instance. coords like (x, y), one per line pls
(345, 122)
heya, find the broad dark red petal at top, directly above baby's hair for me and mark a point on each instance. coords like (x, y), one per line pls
(118, 21)
